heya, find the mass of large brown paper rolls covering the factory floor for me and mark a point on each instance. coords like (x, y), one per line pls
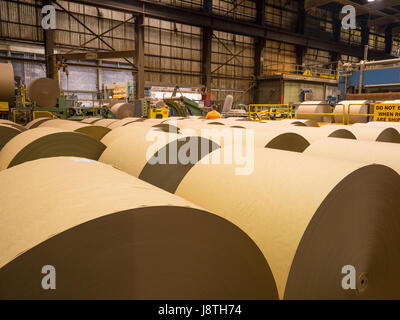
(87, 198)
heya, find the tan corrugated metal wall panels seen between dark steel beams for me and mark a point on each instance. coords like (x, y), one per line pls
(173, 52)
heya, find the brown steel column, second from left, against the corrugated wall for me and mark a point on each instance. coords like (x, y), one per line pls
(140, 61)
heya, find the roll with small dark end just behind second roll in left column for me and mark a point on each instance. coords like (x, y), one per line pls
(94, 131)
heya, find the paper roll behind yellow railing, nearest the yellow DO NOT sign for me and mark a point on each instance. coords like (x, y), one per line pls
(356, 107)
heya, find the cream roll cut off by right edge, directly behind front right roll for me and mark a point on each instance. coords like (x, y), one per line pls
(362, 151)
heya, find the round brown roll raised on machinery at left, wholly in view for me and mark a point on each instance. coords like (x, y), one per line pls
(44, 92)
